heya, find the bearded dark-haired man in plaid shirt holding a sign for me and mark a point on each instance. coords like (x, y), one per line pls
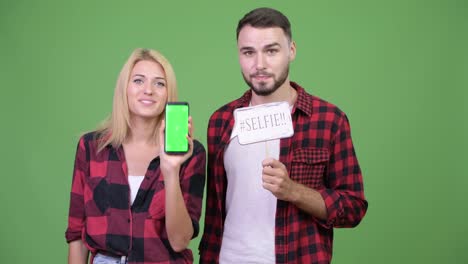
(281, 206)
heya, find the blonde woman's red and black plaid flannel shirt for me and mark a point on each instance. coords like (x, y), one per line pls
(101, 214)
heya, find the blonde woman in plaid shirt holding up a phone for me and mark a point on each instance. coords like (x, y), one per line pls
(130, 201)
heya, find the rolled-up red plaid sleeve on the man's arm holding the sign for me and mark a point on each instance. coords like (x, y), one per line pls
(344, 195)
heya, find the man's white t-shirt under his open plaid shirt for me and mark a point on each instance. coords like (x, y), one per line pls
(249, 228)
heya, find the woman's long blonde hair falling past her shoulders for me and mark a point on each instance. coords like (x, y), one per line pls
(115, 129)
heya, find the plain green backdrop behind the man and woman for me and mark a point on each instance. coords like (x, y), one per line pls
(399, 69)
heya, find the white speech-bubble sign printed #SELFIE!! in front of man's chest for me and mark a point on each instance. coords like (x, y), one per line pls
(263, 122)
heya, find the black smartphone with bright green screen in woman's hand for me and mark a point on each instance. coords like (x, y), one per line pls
(175, 139)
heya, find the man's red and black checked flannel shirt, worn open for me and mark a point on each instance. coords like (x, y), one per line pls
(319, 155)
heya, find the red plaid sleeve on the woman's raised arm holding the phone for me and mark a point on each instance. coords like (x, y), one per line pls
(193, 182)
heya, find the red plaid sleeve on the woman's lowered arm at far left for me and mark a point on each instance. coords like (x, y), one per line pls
(76, 216)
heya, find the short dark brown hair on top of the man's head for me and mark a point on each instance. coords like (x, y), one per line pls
(265, 17)
